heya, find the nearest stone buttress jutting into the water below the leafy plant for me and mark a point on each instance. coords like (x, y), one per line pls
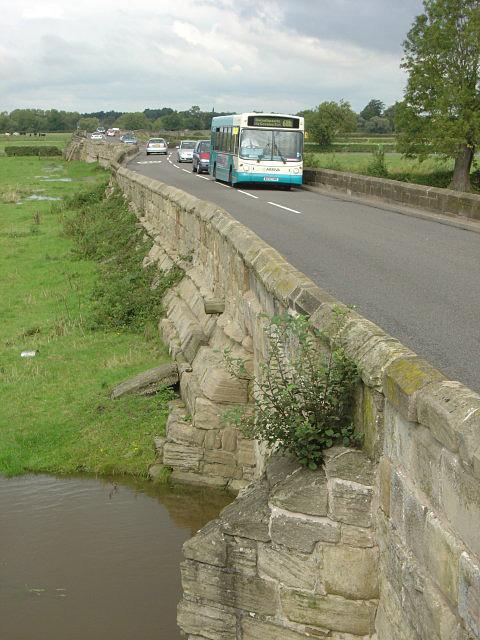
(293, 557)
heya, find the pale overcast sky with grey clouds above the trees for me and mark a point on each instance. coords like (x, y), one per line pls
(235, 55)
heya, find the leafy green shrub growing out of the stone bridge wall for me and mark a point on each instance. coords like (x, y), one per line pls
(303, 395)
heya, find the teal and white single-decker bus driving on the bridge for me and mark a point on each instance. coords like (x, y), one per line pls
(257, 147)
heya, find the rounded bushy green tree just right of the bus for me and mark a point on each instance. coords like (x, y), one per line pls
(328, 120)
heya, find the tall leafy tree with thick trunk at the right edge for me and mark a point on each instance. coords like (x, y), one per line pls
(441, 109)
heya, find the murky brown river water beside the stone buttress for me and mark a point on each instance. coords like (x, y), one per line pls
(90, 559)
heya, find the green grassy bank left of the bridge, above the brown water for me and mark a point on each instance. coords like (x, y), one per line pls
(55, 411)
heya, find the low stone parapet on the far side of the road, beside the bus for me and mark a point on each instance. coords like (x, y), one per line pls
(444, 201)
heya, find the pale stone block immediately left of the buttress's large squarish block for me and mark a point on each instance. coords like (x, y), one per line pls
(289, 568)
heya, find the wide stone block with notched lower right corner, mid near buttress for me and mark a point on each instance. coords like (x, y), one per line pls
(302, 534)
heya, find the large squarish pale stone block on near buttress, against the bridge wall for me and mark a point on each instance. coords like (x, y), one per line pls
(350, 572)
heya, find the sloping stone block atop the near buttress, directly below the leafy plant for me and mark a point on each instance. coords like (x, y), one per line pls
(304, 491)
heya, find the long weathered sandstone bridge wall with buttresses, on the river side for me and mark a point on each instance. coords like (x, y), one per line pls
(421, 432)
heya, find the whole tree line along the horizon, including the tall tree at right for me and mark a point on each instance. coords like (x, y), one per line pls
(439, 113)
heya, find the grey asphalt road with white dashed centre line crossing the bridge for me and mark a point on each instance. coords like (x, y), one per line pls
(416, 278)
